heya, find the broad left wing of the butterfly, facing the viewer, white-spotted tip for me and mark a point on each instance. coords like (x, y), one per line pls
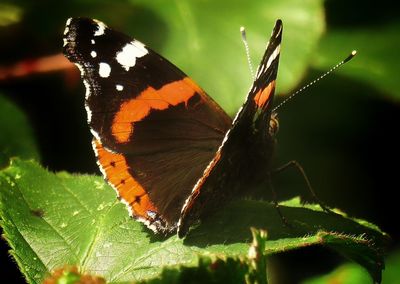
(155, 130)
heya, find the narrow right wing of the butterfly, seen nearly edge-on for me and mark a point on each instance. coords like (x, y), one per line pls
(247, 147)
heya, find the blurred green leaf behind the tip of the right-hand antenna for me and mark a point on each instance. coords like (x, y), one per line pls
(377, 60)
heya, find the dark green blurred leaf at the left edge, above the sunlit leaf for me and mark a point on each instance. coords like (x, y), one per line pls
(16, 138)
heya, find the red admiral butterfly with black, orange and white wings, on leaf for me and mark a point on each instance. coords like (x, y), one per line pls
(170, 152)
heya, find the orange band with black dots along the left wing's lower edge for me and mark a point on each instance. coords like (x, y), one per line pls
(117, 172)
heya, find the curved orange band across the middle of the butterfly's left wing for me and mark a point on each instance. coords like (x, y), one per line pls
(138, 108)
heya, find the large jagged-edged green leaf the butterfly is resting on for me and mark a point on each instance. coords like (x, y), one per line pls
(52, 220)
